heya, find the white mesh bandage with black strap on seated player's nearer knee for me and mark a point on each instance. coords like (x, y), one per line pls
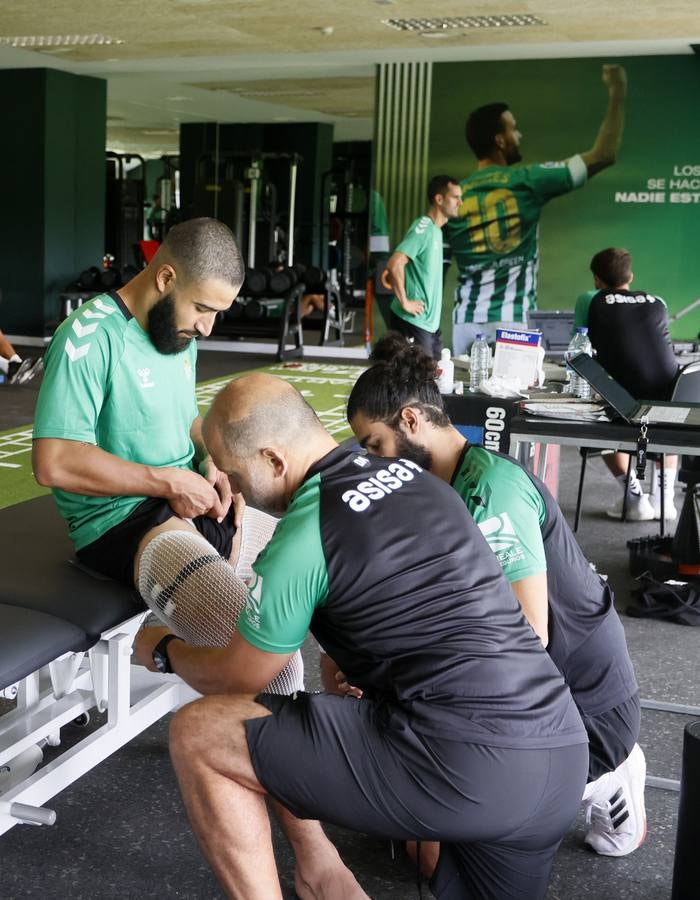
(199, 597)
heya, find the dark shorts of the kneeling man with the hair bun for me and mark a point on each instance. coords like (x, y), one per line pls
(611, 736)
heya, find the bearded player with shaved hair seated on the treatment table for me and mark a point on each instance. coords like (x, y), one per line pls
(117, 432)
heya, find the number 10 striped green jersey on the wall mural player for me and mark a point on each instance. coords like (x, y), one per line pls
(495, 240)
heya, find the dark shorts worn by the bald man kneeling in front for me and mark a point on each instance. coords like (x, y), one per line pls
(499, 813)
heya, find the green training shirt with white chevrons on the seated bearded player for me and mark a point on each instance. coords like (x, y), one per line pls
(106, 384)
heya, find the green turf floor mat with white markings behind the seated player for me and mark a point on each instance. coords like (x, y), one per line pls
(326, 387)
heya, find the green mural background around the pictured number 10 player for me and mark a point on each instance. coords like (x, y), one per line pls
(558, 105)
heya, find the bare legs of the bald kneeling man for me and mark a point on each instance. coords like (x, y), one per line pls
(226, 806)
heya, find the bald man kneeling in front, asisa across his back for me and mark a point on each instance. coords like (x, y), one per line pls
(465, 732)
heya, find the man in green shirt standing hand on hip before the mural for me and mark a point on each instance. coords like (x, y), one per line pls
(414, 270)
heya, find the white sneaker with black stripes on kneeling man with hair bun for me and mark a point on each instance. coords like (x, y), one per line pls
(615, 808)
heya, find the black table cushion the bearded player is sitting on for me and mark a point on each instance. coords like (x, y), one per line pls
(39, 572)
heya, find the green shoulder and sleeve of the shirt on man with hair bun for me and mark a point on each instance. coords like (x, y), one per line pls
(508, 509)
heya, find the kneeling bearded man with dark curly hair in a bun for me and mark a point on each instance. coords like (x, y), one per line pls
(395, 408)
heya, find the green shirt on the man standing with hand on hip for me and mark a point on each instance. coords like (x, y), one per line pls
(422, 244)
